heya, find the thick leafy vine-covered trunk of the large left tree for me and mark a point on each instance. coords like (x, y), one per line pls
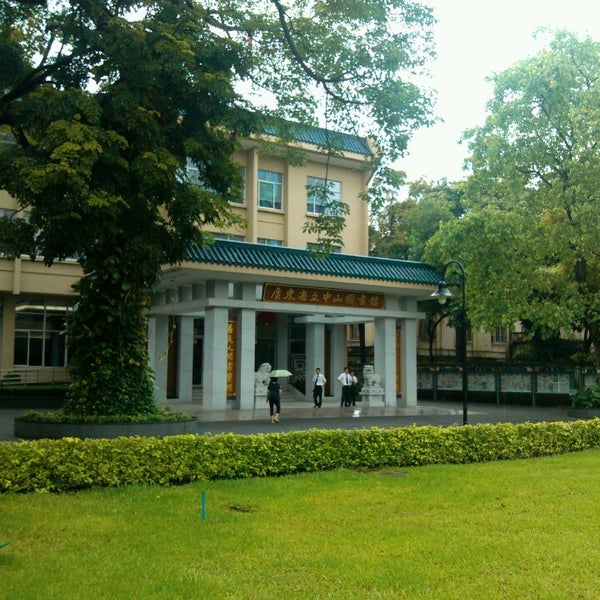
(107, 337)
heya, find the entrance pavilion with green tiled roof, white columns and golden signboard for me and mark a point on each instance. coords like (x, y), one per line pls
(229, 285)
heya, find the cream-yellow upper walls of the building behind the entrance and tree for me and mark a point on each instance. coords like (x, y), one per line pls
(31, 282)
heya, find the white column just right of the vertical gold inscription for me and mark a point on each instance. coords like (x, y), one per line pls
(246, 346)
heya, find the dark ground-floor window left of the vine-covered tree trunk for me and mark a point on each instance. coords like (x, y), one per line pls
(40, 339)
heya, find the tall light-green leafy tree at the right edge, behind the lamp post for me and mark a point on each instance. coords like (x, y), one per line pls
(529, 238)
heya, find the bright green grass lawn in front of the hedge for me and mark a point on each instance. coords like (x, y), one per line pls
(513, 529)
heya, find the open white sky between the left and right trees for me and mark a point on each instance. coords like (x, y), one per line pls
(476, 38)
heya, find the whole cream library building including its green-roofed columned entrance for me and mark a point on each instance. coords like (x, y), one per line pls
(258, 296)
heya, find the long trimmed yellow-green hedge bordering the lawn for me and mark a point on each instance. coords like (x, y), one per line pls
(72, 463)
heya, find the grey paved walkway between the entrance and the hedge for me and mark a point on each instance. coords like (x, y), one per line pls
(299, 415)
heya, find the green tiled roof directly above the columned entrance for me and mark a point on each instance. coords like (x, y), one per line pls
(259, 256)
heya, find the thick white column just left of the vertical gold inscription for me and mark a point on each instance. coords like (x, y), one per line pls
(214, 389)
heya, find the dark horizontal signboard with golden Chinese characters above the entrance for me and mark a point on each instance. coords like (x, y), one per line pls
(294, 294)
